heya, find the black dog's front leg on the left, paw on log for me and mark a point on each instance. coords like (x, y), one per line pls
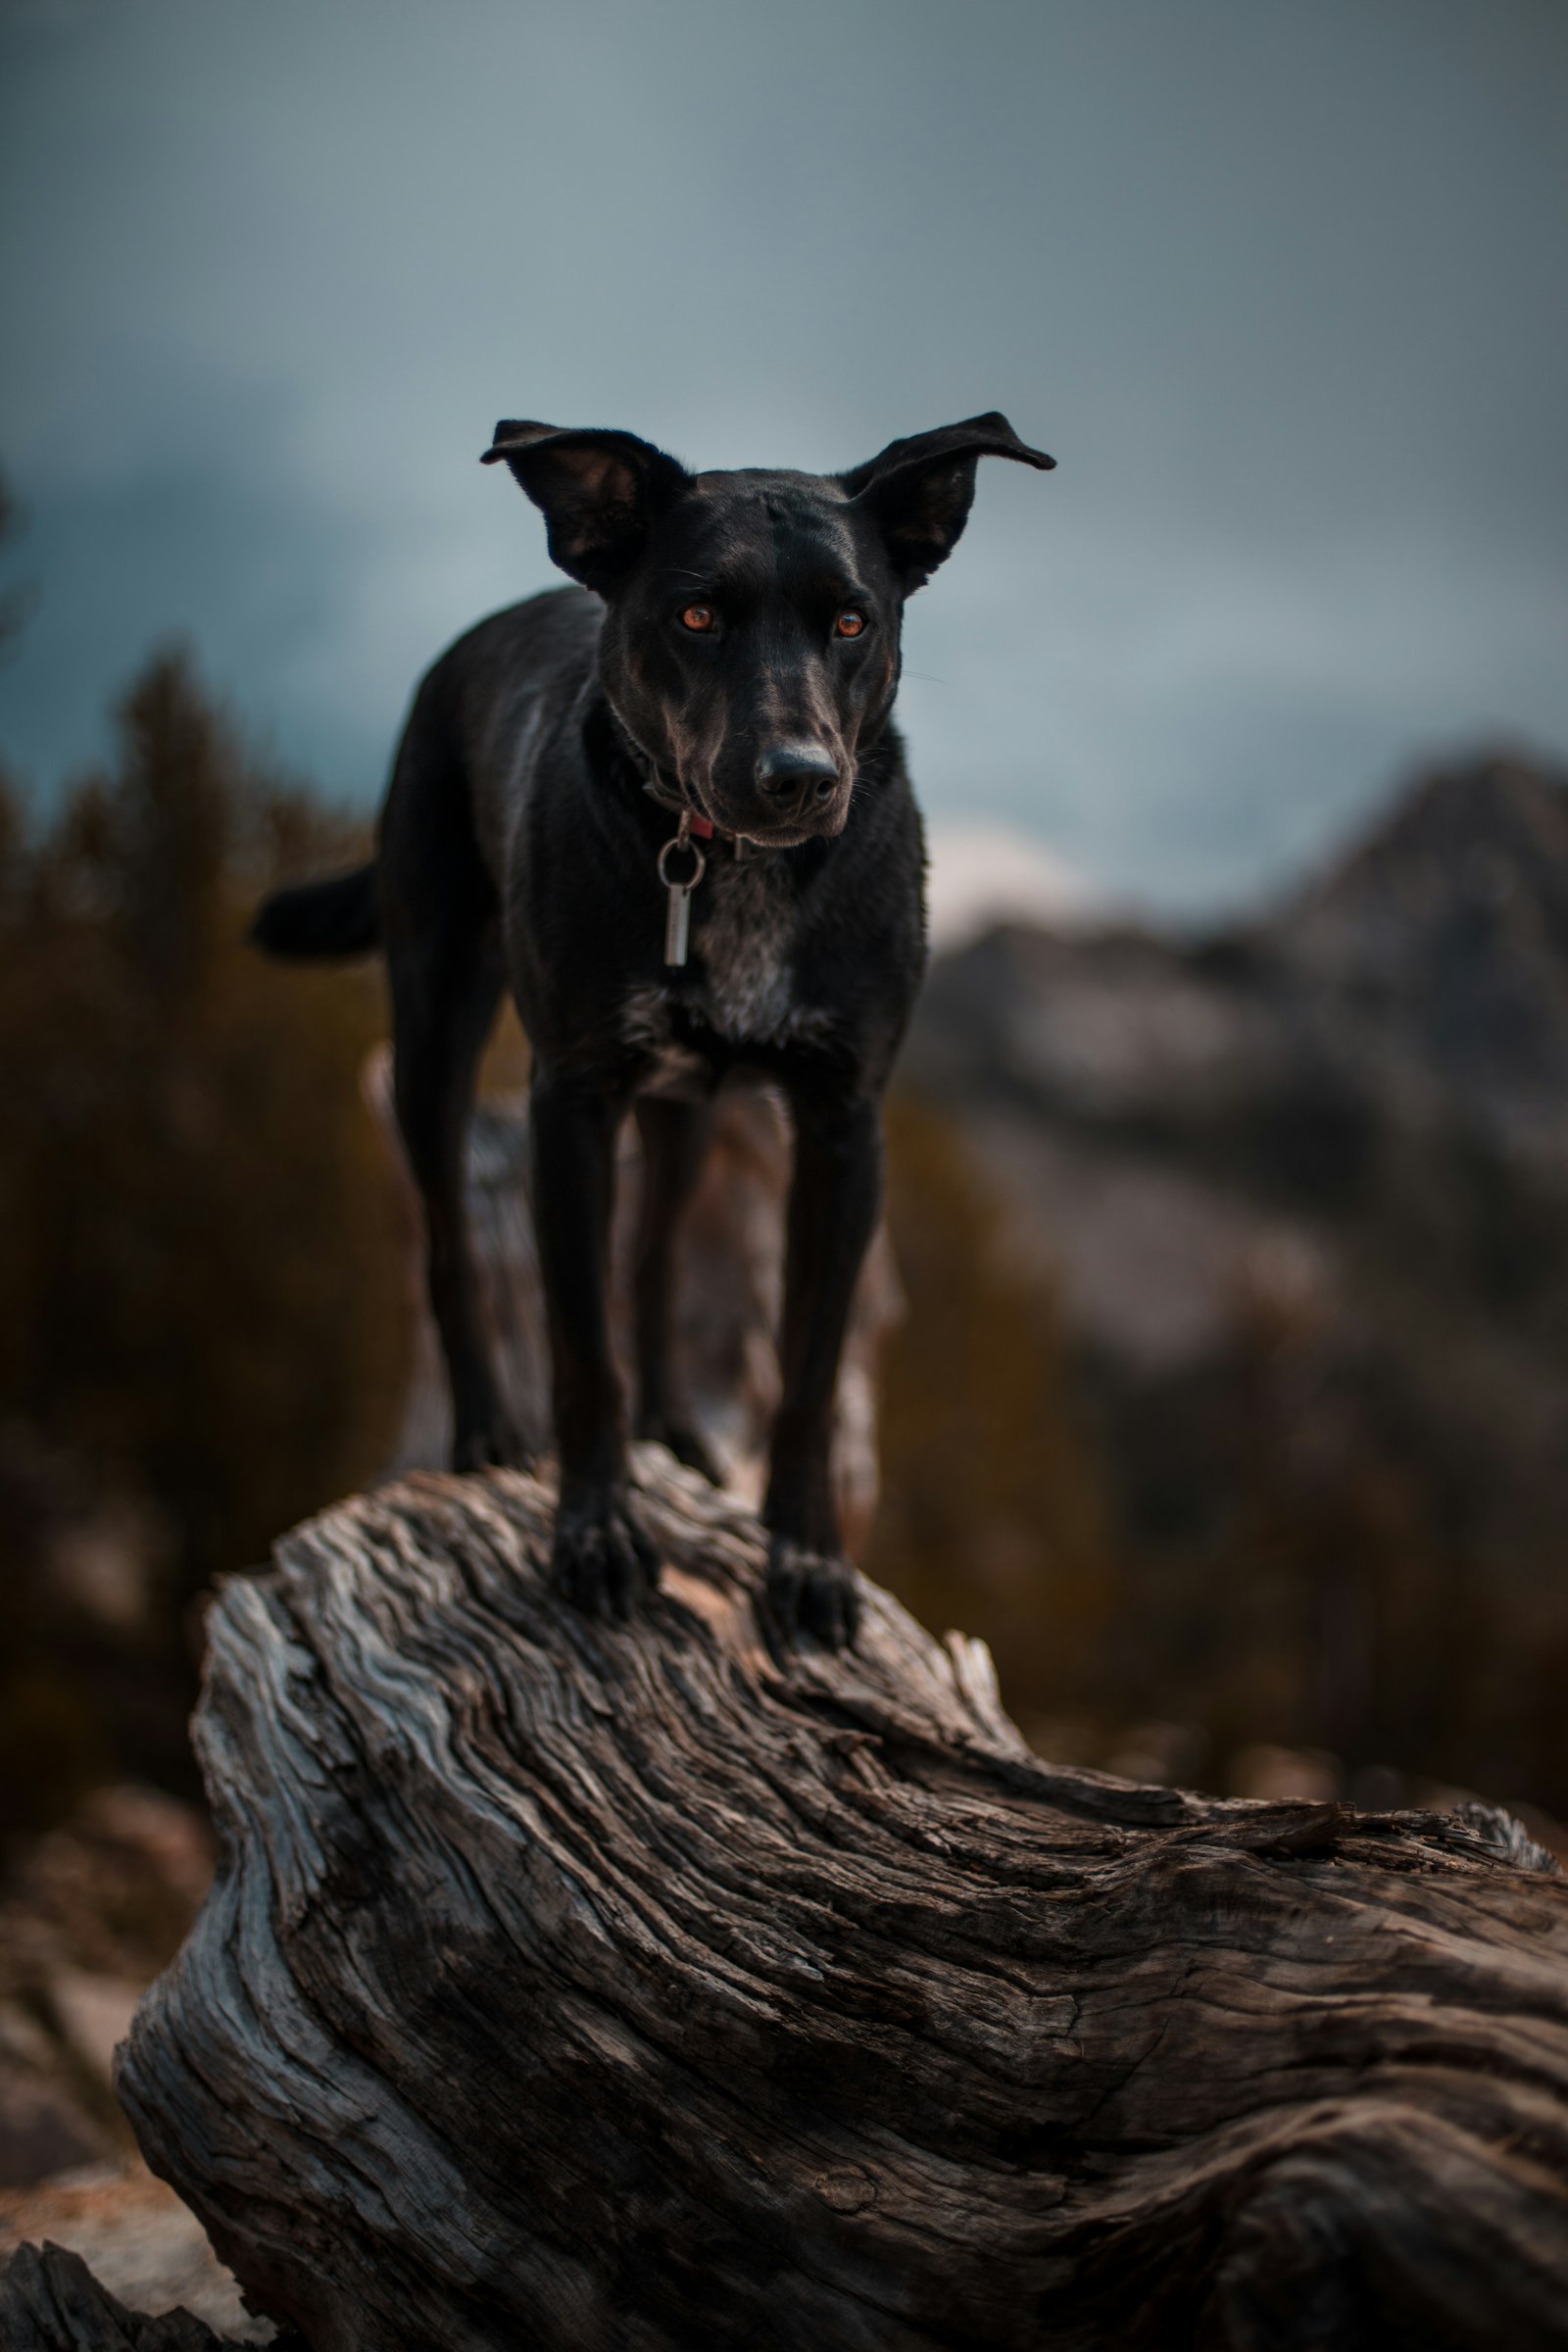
(603, 1561)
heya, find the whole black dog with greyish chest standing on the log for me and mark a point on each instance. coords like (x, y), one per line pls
(671, 813)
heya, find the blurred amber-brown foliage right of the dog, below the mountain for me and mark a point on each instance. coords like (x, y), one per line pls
(1266, 1558)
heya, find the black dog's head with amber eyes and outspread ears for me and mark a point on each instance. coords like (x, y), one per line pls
(751, 636)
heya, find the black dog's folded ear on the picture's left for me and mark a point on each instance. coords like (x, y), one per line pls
(601, 493)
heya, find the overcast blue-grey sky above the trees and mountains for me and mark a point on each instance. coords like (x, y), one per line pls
(1282, 286)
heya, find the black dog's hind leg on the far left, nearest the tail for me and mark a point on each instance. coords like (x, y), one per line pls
(445, 996)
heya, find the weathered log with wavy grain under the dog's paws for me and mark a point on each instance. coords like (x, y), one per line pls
(577, 1986)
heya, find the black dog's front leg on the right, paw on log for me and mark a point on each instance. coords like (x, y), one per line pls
(833, 1215)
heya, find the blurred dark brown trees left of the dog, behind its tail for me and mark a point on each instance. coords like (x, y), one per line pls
(201, 1243)
